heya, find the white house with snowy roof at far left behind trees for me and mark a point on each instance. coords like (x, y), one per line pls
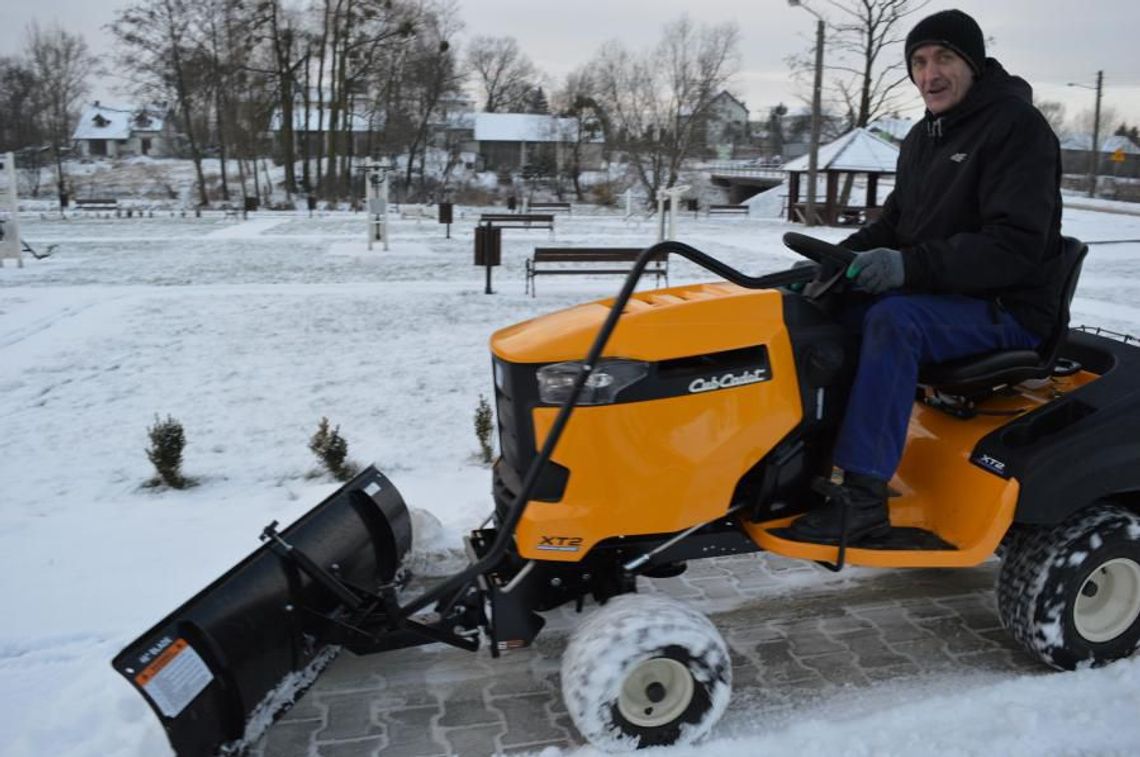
(119, 132)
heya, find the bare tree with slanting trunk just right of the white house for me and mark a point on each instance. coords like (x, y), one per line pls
(159, 48)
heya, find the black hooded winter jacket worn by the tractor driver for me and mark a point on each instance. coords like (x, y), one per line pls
(976, 208)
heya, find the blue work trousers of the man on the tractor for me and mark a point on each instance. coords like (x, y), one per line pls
(902, 332)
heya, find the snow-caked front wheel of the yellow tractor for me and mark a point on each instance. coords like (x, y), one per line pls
(646, 671)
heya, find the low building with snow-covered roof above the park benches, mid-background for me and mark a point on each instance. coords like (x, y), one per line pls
(508, 142)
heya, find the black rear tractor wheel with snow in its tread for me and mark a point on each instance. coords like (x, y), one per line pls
(1071, 595)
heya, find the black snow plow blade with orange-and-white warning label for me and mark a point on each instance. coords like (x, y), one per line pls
(221, 668)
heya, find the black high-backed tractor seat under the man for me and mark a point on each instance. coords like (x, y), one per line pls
(980, 375)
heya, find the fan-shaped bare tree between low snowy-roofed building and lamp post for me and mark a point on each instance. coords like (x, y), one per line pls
(657, 101)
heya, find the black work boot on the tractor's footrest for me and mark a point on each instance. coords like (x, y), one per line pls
(867, 514)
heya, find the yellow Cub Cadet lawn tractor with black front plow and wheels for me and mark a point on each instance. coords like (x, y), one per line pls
(657, 428)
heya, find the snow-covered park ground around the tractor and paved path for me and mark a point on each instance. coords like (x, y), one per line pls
(249, 332)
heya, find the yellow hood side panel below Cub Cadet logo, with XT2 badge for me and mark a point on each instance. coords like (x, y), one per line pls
(659, 467)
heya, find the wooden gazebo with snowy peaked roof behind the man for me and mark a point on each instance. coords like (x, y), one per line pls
(857, 152)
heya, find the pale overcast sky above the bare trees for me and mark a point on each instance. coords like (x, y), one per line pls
(1049, 43)
